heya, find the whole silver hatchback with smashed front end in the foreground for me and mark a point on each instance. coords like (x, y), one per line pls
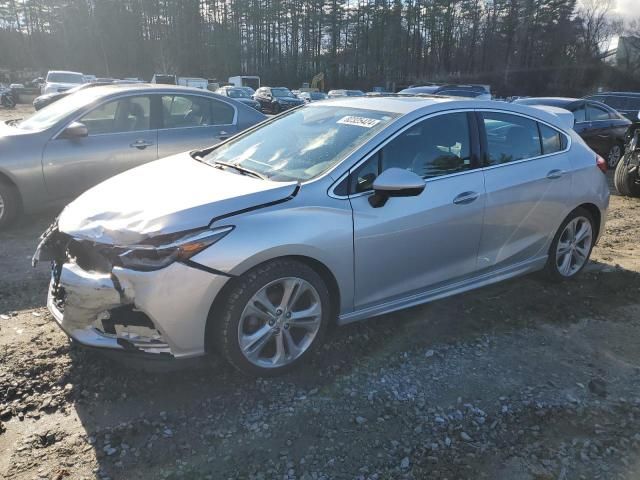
(366, 206)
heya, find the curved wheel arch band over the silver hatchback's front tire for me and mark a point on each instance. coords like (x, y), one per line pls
(319, 267)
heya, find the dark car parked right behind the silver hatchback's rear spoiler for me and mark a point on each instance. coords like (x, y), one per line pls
(600, 126)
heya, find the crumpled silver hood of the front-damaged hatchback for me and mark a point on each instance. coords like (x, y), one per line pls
(167, 196)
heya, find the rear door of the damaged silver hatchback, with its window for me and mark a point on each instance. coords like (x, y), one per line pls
(526, 174)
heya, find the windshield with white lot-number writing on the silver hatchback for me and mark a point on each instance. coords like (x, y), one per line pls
(318, 137)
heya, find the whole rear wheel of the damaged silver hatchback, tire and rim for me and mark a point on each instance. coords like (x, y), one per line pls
(571, 247)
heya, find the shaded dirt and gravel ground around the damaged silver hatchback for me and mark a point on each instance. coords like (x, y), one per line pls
(521, 380)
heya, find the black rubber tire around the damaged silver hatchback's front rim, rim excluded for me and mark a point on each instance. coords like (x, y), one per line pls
(225, 331)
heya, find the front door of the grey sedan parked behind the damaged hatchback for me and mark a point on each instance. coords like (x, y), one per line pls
(121, 135)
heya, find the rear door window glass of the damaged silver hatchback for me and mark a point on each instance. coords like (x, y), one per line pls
(510, 138)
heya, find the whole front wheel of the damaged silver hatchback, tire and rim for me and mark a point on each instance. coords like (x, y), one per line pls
(273, 317)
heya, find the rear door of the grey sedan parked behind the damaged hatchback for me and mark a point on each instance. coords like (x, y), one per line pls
(193, 121)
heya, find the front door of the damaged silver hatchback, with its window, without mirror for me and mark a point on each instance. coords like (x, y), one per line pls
(413, 244)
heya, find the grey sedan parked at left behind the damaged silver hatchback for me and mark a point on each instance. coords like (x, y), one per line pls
(85, 138)
